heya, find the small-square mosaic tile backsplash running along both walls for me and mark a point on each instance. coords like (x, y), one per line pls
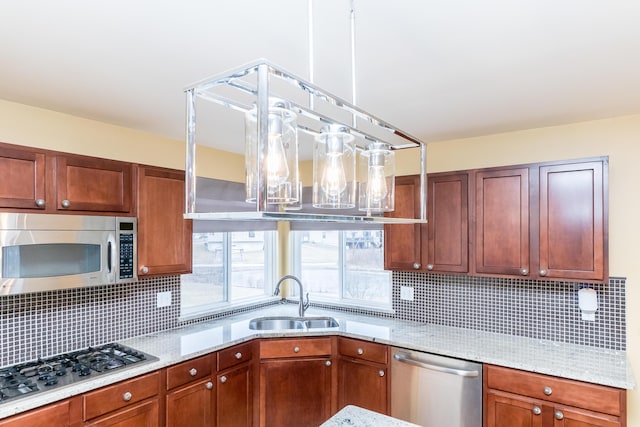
(48, 323)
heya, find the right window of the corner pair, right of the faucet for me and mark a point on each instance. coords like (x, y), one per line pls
(343, 266)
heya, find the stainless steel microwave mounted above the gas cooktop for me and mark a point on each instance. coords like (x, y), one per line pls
(43, 252)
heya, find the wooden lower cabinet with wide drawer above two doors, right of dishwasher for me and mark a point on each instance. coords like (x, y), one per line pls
(523, 399)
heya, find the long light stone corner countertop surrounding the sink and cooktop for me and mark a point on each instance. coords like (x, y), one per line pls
(599, 366)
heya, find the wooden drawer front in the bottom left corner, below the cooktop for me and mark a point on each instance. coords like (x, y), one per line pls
(67, 413)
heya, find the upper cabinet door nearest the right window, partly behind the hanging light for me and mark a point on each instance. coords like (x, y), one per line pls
(402, 242)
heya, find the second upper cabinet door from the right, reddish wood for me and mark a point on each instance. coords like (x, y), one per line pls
(502, 221)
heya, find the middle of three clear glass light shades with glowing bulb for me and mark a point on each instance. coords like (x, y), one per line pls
(334, 169)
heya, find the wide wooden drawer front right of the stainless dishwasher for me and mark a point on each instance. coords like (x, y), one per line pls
(594, 397)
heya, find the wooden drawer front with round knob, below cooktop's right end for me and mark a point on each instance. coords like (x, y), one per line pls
(107, 399)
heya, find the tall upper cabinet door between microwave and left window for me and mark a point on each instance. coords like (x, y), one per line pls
(164, 236)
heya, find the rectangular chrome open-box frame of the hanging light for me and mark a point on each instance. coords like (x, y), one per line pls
(265, 76)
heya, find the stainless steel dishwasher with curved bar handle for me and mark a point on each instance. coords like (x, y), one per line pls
(435, 391)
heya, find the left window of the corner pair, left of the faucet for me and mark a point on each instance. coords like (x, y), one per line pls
(228, 268)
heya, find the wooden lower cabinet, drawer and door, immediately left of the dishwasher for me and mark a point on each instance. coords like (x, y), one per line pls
(363, 375)
